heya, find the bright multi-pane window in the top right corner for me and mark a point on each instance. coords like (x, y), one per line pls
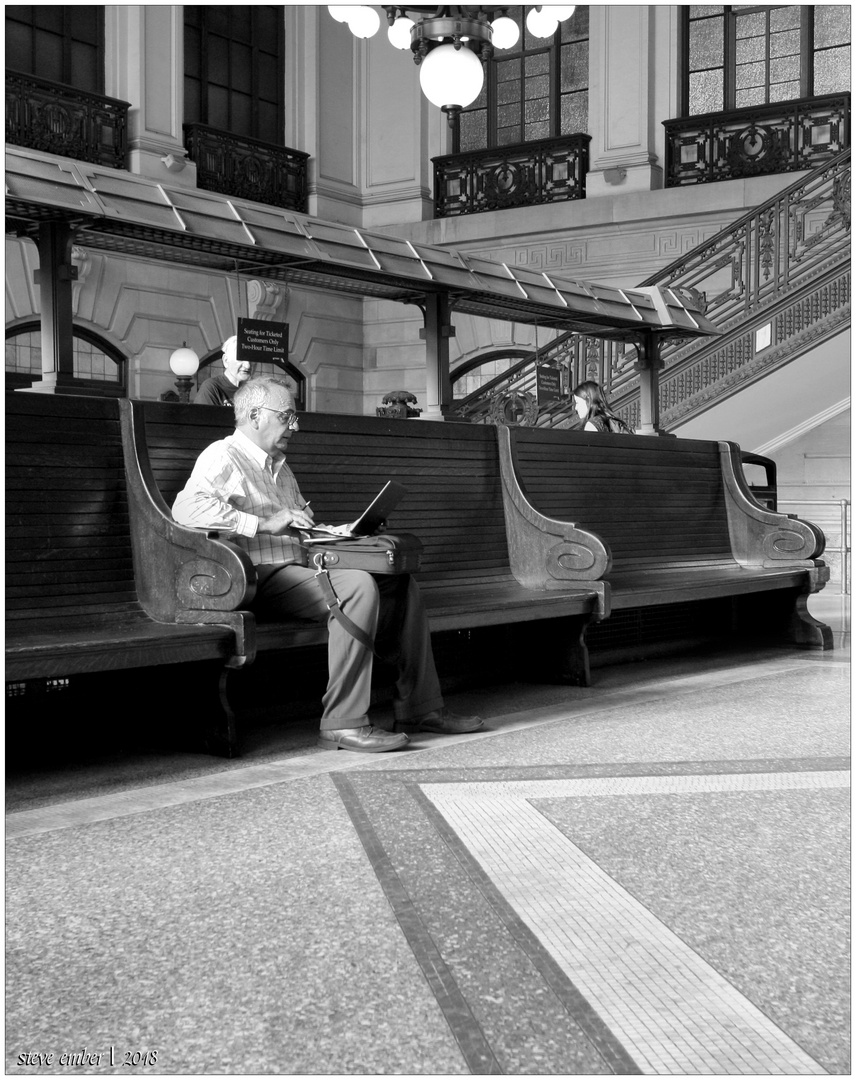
(740, 57)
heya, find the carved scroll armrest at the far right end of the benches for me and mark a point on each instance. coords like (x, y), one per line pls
(760, 537)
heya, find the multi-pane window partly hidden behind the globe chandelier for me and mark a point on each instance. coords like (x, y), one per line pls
(537, 90)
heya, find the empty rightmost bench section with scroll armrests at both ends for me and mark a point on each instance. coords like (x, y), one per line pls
(659, 522)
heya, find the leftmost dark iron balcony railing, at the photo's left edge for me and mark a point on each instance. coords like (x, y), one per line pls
(58, 119)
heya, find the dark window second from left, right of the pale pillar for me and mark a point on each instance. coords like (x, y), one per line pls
(234, 70)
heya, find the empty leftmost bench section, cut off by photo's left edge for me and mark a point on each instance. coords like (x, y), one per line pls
(72, 601)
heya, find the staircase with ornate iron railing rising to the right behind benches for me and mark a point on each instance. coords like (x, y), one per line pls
(777, 282)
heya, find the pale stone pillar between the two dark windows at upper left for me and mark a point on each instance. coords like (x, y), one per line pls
(145, 66)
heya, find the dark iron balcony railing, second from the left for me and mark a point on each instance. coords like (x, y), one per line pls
(248, 168)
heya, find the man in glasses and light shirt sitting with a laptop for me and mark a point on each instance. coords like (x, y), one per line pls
(242, 485)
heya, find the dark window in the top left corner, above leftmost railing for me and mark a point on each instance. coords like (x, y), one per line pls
(61, 43)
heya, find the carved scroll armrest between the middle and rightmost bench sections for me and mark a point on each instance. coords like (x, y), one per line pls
(545, 553)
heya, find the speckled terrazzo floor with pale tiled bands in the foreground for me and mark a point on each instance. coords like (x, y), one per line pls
(540, 961)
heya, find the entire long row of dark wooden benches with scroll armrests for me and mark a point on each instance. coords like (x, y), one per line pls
(101, 579)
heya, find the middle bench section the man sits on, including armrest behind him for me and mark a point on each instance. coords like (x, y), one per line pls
(454, 504)
